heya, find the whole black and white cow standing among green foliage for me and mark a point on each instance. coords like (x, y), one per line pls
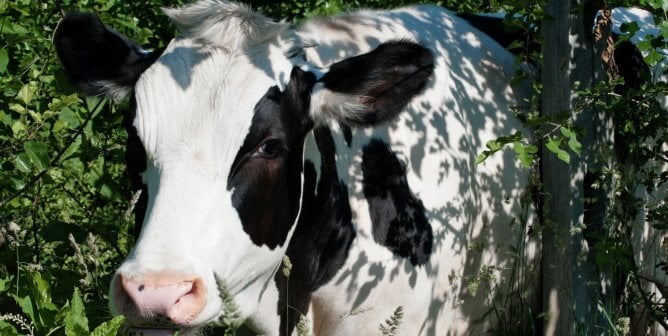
(347, 144)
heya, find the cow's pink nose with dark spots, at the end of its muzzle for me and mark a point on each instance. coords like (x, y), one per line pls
(150, 297)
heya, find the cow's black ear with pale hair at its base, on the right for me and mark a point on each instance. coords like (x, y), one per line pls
(374, 87)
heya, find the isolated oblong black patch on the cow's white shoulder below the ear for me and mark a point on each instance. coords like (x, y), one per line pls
(397, 215)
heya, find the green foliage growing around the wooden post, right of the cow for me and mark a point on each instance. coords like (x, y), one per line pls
(637, 159)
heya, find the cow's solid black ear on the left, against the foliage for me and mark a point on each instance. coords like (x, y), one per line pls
(99, 60)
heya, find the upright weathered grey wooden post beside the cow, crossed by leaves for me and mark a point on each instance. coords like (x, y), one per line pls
(556, 262)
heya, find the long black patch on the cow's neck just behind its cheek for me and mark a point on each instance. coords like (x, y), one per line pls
(323, 236)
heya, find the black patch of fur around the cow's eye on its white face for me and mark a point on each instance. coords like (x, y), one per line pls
(267, 188)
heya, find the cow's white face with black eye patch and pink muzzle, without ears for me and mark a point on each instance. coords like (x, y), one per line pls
(223, 148)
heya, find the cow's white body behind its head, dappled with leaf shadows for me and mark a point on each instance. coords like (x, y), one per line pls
(473, 211)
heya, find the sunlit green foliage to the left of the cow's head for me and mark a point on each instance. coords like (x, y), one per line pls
(63, 190)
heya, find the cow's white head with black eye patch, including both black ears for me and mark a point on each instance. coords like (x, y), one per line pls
(222, 114)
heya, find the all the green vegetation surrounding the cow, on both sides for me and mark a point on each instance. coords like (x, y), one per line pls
(65, 209)
